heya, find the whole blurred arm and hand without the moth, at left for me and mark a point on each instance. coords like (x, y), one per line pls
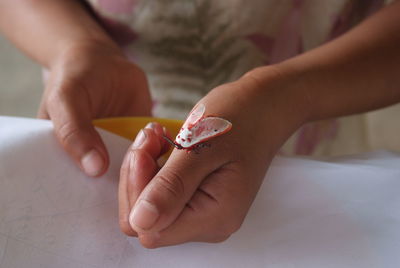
(89, 76)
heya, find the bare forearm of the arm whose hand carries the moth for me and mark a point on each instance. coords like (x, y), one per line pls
(357, 72)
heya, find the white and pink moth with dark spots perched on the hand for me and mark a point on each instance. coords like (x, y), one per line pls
(198, 129)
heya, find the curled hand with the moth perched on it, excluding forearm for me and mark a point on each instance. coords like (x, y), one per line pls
(206, 196)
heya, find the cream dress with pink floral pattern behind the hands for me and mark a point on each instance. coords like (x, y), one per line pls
(187, 47)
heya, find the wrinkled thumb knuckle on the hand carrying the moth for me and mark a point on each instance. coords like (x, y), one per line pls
(171, 182)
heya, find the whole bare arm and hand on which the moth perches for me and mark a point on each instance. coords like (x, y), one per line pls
(205, 197)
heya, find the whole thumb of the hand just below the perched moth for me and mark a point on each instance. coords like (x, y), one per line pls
(167, 194)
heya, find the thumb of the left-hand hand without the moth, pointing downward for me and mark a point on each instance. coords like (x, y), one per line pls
(72, 124)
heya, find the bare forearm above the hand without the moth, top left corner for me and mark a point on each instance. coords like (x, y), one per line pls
(44, 29)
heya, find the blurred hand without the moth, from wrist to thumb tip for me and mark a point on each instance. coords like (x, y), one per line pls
(87, 82)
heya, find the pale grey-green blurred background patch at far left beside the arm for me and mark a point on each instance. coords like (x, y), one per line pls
(20, 82)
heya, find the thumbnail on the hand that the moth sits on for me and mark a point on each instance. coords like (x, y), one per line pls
(143, 216)
